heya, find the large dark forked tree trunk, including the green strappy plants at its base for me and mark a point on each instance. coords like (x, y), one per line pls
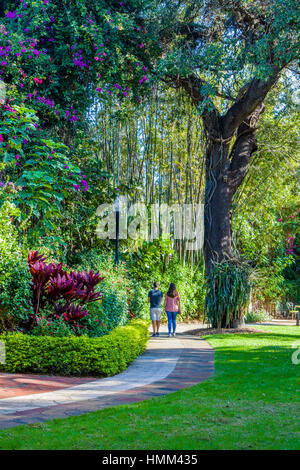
(226, 169)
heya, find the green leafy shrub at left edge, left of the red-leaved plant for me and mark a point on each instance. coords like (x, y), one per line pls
(14, 273)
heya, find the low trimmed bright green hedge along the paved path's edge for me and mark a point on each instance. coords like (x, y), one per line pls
(75, 356)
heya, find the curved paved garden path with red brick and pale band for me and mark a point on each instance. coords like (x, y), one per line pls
(168, 364)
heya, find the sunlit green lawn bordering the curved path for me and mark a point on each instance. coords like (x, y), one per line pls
(251, 402)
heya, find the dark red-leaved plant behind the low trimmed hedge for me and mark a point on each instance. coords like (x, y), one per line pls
(53, 287)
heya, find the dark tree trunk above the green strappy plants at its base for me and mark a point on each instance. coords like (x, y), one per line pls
(225, 173)
